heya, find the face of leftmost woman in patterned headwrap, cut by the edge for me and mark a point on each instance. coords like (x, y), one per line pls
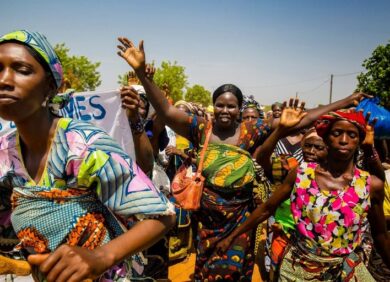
(23, 83)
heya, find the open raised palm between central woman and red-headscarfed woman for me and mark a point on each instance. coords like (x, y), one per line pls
(292, 114)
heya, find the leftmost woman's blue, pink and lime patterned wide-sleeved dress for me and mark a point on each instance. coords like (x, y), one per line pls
(88, 183)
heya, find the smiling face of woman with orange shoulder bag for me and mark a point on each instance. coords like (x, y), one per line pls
(226, 110)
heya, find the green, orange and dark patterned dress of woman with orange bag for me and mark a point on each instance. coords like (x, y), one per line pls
(227, 201)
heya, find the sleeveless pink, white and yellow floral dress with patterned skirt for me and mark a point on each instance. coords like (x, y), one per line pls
(329, 227)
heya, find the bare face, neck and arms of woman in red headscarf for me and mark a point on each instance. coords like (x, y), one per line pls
(335, 173)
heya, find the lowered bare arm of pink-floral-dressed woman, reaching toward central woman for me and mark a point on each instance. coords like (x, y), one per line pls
(262, 212)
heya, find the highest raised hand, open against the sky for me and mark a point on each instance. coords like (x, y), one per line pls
(134, 56)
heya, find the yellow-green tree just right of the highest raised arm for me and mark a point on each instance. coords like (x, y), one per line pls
(171, 77)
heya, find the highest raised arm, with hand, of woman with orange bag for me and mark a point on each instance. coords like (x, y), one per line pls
(135, 57)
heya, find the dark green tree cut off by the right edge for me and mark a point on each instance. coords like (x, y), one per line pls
(376, 80)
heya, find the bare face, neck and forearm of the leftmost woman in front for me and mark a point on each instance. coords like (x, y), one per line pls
(24, 87)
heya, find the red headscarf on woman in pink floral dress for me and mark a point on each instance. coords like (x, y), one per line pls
(324, 123)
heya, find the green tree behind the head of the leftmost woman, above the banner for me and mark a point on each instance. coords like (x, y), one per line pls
(79, 72)
